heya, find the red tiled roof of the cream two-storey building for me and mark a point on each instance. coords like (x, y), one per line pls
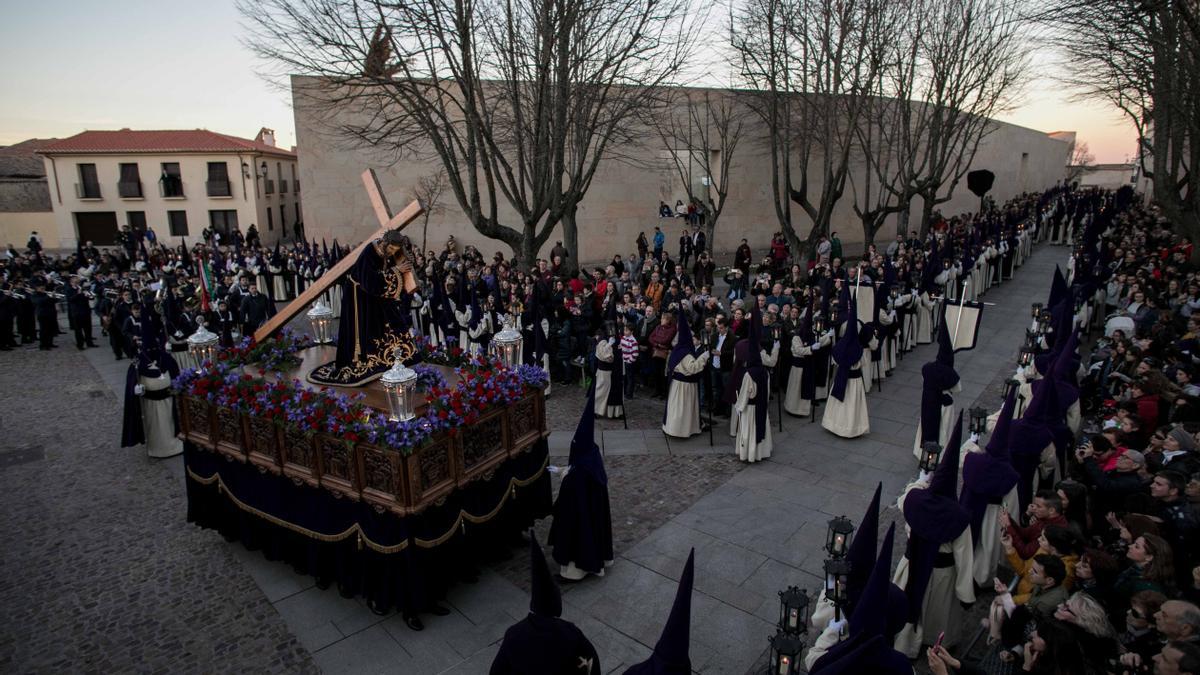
(185, 141)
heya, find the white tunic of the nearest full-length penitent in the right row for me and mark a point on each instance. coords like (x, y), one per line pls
(939, 612)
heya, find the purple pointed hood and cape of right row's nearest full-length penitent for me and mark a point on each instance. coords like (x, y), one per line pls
(935, 517)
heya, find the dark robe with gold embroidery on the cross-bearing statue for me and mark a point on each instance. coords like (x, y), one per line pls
(374, 325)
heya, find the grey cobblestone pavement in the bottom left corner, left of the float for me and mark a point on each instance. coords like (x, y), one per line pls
(99, 571)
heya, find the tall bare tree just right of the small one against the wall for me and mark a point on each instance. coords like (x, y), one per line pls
(812, 67)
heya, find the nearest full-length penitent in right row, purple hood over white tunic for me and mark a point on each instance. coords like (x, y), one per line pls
(939, 559)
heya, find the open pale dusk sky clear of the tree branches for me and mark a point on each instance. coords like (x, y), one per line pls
(182, 65)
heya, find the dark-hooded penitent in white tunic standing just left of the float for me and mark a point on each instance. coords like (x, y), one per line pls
(149, 408)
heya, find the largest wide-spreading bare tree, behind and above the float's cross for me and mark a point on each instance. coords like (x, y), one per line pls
(519, 101)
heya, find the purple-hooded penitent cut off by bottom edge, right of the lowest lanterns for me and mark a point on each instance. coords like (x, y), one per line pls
(878, 618)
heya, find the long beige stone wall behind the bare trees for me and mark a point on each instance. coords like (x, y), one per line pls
(625, 196)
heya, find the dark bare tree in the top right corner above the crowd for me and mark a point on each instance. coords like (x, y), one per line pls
(1143, 57)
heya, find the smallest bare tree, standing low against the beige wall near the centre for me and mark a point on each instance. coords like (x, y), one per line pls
(695, 128)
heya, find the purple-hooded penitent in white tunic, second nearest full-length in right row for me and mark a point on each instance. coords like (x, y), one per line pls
(989, 485)
